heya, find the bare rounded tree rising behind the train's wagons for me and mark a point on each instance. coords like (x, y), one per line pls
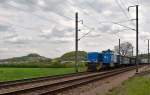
(126, 49)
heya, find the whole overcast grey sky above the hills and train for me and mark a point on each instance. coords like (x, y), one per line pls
(46, 27)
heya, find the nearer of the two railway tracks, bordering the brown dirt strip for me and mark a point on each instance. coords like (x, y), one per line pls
(60, 86)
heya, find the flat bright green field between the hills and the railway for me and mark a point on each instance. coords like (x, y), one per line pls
(7, 74)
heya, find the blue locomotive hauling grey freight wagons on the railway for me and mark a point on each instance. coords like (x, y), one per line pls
(107, 59)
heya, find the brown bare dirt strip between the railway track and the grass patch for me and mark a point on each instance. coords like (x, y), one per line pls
(103, 86)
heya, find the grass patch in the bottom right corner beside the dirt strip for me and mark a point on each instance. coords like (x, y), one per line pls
(134, 86)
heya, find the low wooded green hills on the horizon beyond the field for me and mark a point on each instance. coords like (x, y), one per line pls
(36, 58)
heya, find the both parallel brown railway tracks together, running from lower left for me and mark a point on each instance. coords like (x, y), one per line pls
(55, 85)
